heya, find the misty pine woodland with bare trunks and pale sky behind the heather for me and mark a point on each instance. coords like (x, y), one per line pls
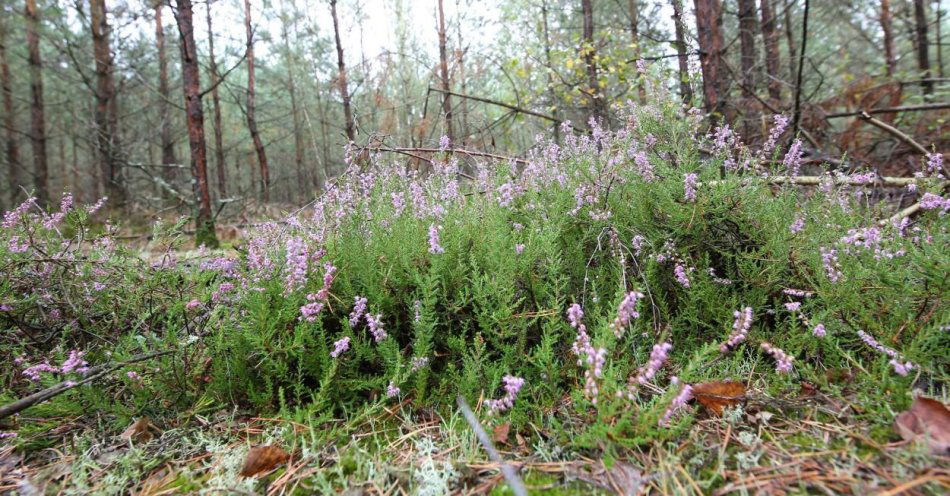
(195, 106)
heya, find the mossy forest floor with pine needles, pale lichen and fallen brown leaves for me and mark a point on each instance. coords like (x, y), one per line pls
(808, 442)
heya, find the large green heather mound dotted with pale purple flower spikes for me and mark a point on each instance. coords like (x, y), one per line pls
(471, 271)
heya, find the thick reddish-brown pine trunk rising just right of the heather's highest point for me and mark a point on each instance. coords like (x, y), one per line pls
(709, 30)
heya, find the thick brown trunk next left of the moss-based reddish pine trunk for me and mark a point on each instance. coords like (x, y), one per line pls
(105, 112)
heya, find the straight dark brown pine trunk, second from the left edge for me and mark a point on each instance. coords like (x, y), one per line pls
(37, 113)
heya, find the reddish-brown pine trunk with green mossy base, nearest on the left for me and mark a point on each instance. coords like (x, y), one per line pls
(191, 84)
